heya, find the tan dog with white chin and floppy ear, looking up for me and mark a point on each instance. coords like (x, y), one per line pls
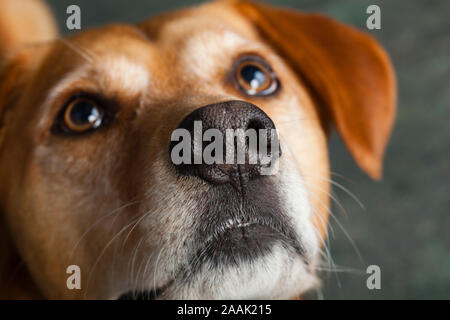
(86, 137)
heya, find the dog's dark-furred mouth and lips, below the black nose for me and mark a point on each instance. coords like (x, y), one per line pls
(229, 236)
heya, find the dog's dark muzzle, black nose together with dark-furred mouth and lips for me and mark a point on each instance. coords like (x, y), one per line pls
(240, 216)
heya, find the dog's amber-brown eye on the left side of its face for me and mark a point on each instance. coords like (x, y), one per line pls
(81, 115)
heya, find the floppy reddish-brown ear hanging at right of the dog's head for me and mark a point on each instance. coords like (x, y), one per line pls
(347, 72)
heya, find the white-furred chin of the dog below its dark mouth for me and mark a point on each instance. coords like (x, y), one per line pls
(279, 273)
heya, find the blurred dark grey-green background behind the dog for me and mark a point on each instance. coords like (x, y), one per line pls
(405, 227)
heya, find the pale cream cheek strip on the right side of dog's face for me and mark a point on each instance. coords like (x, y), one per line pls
(304, 143)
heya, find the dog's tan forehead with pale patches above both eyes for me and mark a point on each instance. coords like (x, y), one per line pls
(130, 59)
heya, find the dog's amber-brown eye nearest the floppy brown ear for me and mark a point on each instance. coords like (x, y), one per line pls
(255, 77)
